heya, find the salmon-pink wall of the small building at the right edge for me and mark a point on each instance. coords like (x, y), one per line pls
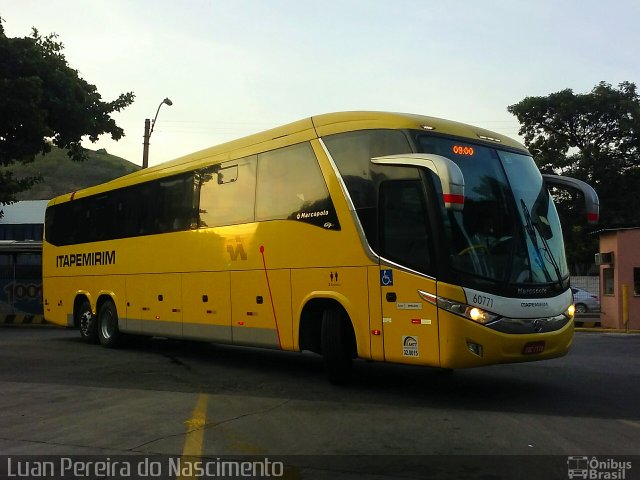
(625, 244)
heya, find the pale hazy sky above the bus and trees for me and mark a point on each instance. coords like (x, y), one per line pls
(236, 67)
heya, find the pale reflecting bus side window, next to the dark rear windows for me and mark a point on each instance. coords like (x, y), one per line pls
(227, 193)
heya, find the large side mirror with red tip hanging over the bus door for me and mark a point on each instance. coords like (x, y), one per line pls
(450, 175)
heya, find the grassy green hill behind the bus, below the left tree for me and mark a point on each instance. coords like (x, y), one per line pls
(62, 175)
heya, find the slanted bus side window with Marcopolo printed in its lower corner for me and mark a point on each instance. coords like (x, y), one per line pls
(291, 186)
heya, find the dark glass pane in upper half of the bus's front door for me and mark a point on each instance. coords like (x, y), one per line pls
(404, 233)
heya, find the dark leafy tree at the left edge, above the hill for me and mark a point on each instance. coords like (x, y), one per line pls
(44, 102)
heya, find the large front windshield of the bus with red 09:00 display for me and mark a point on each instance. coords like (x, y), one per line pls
(509, 230)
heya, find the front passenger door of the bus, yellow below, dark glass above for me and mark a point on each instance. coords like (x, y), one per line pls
(410, 324)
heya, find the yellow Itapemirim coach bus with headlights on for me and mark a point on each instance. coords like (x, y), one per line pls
(382, 236)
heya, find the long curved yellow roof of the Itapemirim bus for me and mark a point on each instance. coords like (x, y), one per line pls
(296, 132)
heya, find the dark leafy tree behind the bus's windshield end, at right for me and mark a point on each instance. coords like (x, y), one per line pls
(594, 137)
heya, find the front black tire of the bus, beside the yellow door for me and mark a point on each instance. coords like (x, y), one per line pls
(336, 346)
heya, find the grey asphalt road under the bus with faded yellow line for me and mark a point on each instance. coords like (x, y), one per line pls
(63, 397)
